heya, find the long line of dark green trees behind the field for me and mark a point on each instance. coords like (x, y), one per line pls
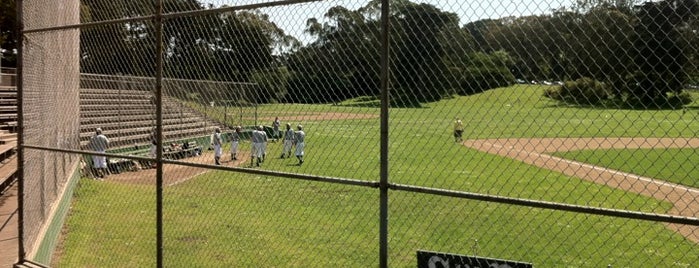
(642, 52)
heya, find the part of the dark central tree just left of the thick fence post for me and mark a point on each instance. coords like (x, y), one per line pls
(341, 63)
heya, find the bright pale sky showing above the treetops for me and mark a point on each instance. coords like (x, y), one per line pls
(292, 18)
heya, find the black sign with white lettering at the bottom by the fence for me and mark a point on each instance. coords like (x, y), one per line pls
(427, 259)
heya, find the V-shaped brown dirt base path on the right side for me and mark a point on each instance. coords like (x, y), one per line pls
(685, 200)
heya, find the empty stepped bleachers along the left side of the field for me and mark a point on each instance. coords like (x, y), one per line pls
(127, 117)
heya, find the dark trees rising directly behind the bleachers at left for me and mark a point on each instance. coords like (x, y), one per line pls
(222, 47)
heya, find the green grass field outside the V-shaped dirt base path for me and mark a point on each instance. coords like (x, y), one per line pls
(230, 219)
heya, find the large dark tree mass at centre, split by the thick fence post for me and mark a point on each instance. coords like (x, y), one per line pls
(343, 60)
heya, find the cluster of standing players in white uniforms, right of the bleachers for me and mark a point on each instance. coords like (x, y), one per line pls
(258, 139)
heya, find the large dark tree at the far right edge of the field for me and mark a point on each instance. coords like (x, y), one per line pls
(643, 55)
